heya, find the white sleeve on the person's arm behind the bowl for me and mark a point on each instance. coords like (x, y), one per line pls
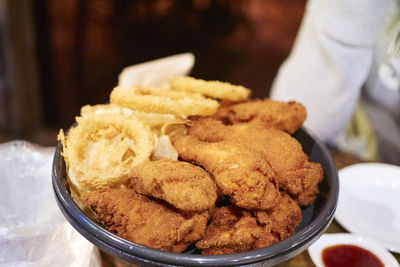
(330, 61)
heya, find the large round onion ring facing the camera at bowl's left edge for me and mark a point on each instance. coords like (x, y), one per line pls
(102, 149)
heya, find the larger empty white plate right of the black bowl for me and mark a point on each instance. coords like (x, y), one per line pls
(369, 202)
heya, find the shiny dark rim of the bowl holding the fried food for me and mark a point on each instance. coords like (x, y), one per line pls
(87, 226)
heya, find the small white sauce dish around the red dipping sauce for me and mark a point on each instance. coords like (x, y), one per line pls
(328, 240)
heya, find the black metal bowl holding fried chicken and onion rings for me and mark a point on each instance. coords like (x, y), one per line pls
(316, 219)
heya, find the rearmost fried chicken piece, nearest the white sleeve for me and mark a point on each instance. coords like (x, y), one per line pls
(286, 116)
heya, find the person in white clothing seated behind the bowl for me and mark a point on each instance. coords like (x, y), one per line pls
(340, 59)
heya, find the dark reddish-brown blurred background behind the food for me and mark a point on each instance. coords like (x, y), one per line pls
(57, 56)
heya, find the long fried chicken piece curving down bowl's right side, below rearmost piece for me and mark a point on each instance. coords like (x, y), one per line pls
(295, 173)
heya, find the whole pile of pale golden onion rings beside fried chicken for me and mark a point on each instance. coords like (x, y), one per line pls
(110, 139)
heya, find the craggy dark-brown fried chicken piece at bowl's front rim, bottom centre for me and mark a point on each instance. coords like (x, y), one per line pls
(234, 230)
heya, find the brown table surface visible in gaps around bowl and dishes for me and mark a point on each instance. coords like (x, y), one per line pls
(303, 259)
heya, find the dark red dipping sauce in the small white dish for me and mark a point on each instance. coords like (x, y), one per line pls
(349, 256)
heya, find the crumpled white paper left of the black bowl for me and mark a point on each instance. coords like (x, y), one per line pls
(33, 231)
